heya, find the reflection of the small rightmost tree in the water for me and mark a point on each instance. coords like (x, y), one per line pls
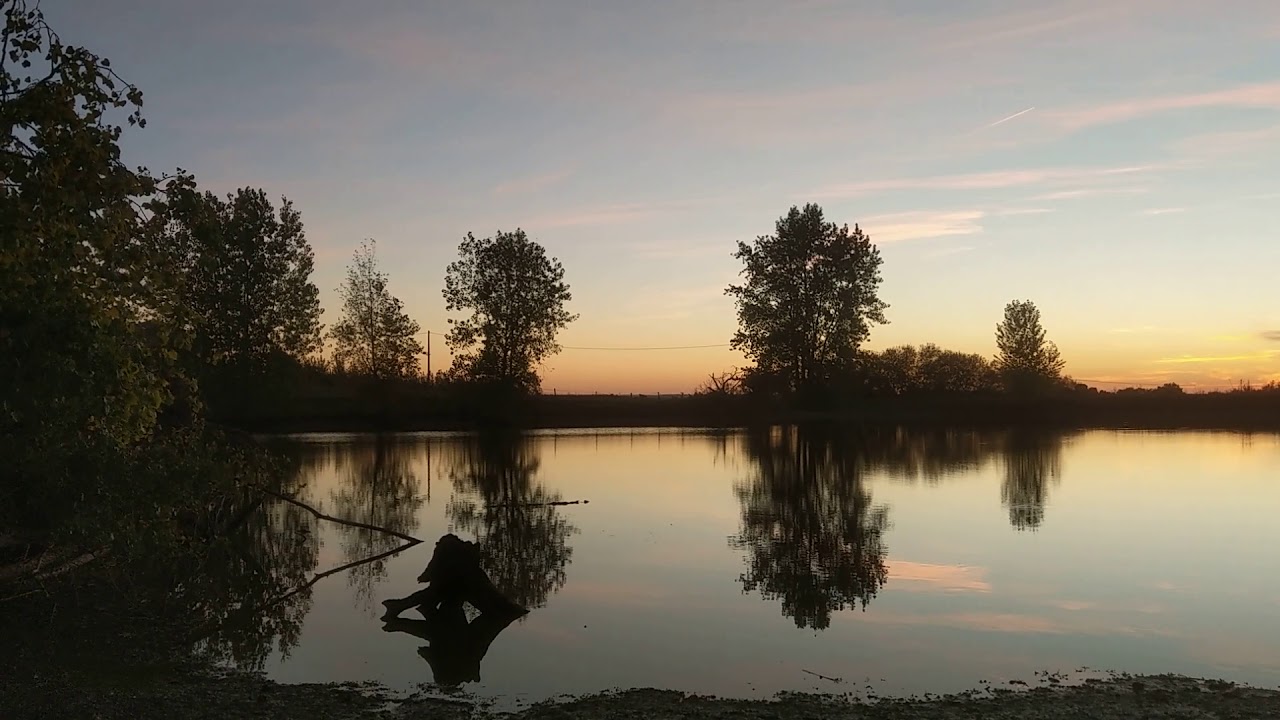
(1032, 462)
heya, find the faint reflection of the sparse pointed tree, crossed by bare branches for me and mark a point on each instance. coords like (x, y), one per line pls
(378, 487)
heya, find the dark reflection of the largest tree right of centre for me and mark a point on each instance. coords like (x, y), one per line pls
(813, 539)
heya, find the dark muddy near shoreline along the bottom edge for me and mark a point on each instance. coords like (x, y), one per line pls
(231, 695)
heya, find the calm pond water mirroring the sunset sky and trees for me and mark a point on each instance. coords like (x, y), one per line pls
(734, 563)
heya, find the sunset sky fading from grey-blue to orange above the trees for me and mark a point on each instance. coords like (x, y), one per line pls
(1118, 163)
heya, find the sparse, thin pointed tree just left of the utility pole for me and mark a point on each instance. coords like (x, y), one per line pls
(374, 336)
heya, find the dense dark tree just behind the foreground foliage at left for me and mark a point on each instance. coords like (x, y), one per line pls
(245, 274)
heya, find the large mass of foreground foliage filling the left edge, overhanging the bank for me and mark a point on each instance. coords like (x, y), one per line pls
(88, 352)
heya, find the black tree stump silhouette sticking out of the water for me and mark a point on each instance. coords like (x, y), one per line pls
(455, 577)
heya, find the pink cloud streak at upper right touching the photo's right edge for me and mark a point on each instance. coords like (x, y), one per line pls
(1264, 95)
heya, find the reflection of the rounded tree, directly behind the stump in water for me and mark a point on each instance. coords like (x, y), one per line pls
(524, 540)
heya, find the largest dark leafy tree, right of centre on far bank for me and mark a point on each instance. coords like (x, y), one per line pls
(810, 298)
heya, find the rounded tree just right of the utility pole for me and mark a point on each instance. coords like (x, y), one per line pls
(516, 299)
